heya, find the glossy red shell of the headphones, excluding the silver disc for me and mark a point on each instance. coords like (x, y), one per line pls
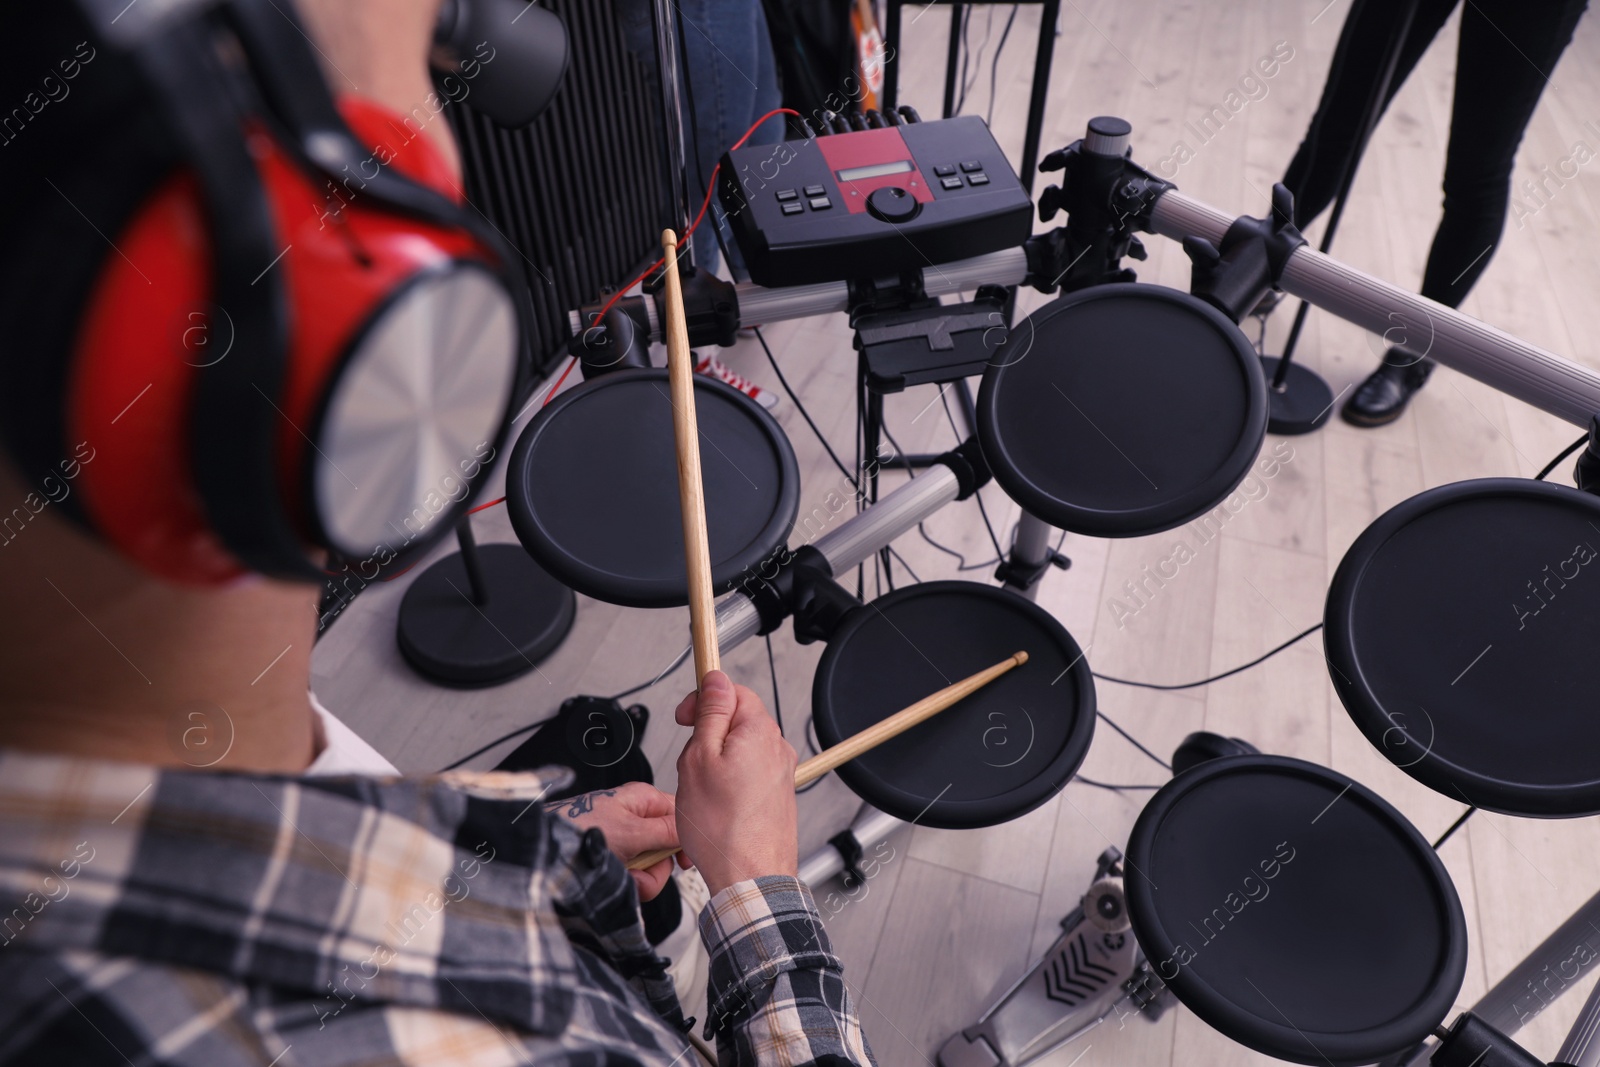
(146, 337)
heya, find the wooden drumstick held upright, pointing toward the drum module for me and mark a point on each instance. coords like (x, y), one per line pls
(692, 492)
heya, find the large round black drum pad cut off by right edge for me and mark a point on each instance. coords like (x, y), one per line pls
(1462, 634)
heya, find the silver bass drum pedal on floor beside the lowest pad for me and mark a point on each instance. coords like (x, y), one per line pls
(1095, 972)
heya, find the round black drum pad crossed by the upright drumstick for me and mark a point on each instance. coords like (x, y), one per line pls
(593, 487)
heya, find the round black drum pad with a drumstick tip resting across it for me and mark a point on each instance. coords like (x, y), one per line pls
(996, 756)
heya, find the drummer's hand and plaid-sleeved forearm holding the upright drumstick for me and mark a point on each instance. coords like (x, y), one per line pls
(777, 991)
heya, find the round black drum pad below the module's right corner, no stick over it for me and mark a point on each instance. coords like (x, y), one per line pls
(1122, 410)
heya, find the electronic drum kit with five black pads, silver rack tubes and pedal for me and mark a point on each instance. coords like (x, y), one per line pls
(1460, 633)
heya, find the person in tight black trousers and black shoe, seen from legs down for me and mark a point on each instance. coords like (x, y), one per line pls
(1505, 60)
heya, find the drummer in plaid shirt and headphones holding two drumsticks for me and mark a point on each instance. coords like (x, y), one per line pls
(183, 884)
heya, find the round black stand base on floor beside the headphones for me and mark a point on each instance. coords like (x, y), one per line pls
(482, 617)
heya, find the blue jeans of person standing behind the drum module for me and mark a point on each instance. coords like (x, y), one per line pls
(730, 76)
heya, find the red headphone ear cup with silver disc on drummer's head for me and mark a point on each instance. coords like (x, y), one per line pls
(404, 350)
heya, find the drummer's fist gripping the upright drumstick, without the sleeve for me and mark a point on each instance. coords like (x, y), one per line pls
(737, 788)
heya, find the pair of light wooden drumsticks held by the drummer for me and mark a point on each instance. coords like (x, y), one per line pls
(697, 549)
